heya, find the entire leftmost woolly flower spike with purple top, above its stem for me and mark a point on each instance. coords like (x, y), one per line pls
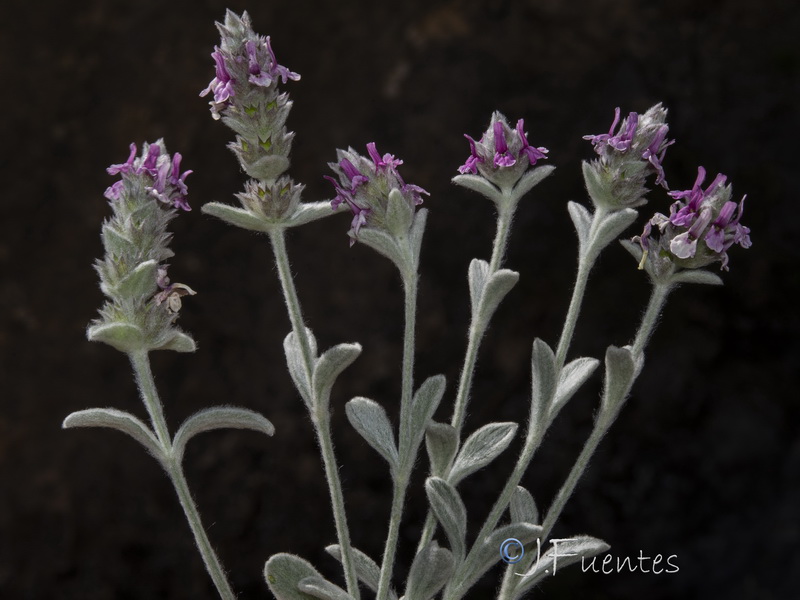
(142, 304)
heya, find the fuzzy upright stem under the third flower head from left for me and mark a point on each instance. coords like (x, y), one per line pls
(406, 451)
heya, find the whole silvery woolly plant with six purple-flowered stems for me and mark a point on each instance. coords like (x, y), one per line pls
(502, 165)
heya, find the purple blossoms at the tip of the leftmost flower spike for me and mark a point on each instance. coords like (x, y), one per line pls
(160, 176)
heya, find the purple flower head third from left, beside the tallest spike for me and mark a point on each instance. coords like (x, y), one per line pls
(364, 185)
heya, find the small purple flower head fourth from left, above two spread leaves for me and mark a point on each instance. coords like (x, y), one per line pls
(501, 151)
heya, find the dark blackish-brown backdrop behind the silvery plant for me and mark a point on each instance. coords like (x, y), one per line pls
(704, 462)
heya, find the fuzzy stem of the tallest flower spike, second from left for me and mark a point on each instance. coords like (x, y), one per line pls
(320, 417)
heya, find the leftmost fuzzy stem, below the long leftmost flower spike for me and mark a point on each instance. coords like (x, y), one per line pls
(144, 378)
